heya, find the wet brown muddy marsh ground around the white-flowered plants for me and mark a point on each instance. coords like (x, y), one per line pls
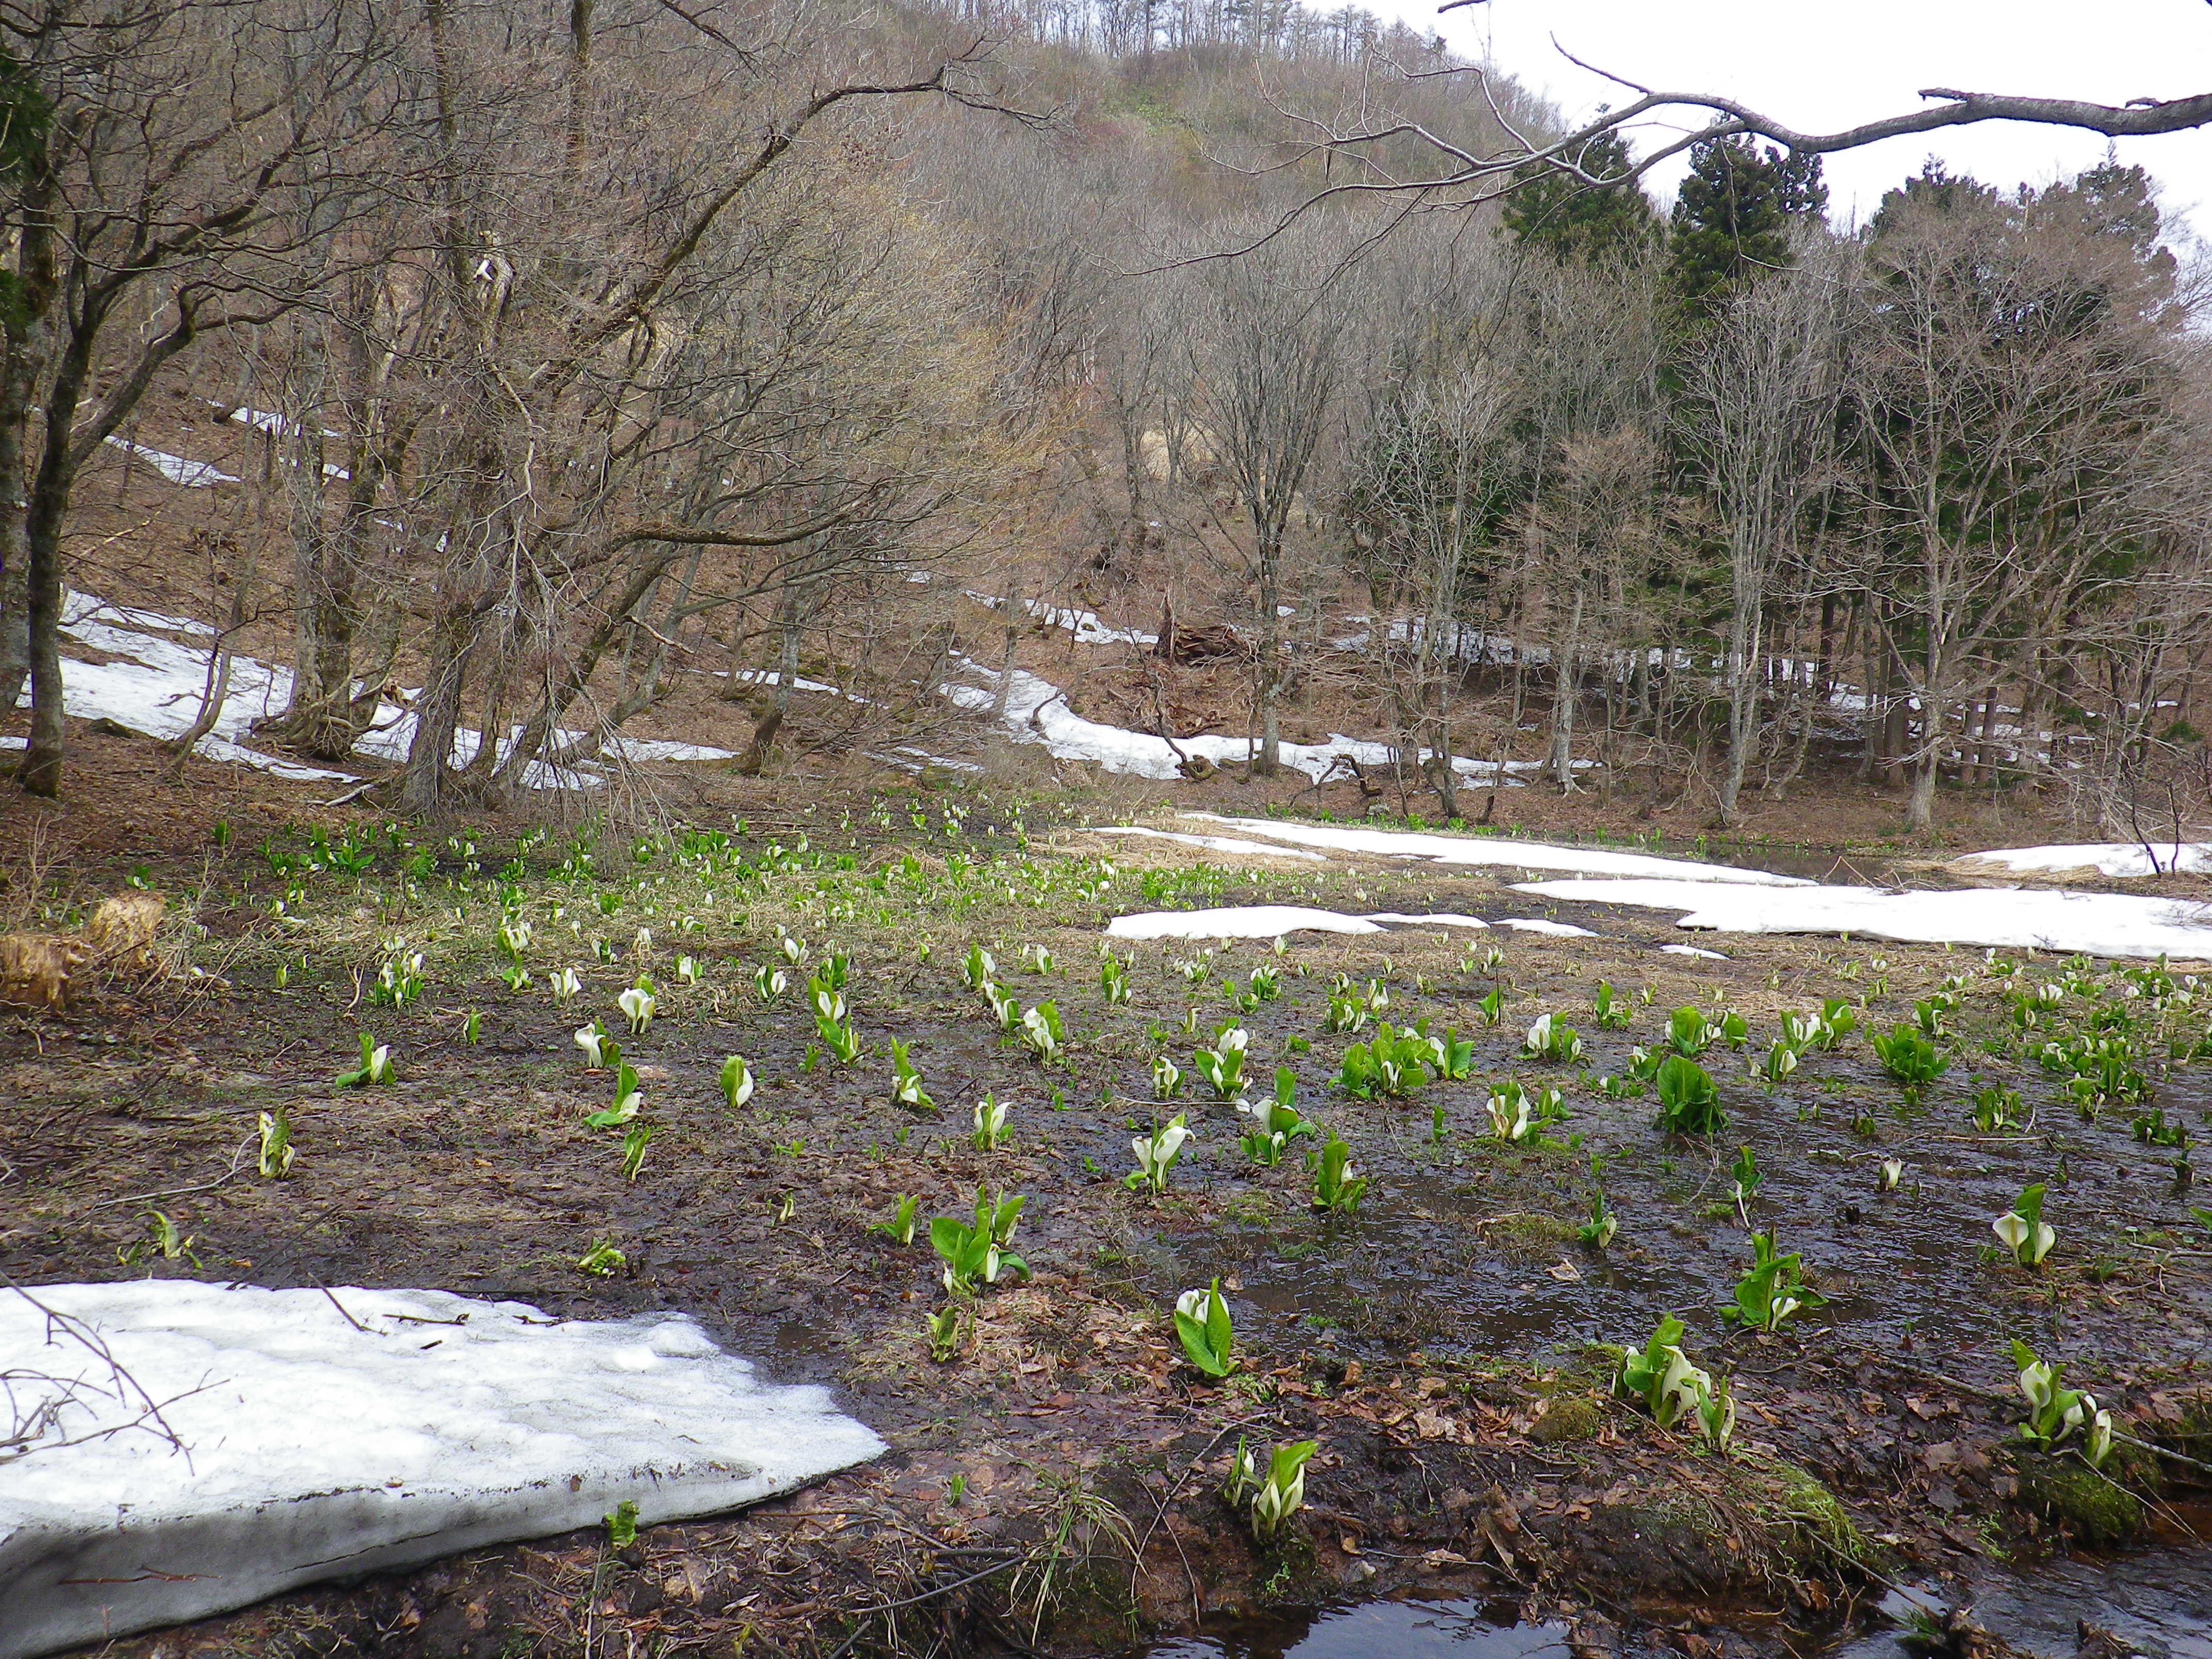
(1058, 1483)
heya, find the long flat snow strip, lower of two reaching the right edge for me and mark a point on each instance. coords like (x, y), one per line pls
(2003, 917)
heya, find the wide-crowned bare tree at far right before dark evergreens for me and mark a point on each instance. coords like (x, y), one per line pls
(2010, 390)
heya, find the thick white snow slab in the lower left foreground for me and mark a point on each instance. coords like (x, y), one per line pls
(315, 1450)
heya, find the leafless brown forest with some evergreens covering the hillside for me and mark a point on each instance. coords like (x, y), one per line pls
(592, 344)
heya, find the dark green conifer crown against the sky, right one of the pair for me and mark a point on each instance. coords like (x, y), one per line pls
(1733, 216)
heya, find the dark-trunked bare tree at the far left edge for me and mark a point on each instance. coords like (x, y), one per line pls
(154, 205)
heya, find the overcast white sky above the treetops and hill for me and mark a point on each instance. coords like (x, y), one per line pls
(1824, 67)
